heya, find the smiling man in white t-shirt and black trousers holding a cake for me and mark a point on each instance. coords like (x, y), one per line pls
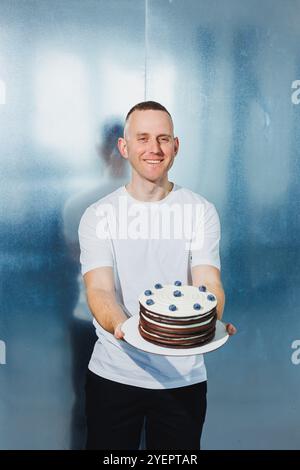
(125, 384)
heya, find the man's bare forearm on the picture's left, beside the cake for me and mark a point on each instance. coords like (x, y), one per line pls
(100, 292)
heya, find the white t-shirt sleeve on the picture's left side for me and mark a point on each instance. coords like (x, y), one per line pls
(95, 250)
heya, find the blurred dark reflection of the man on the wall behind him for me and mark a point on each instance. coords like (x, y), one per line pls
(83, 336)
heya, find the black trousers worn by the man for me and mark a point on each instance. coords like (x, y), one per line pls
(115, 415)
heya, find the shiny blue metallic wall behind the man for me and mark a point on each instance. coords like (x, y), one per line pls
(225, 70)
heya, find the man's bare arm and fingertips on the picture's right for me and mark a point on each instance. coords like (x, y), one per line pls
(210, 277)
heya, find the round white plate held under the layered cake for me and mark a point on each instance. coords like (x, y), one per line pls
(133, 337)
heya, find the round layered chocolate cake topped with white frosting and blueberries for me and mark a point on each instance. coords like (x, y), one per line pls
(177, 316)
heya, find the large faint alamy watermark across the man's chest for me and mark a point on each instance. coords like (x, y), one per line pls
(151, 221)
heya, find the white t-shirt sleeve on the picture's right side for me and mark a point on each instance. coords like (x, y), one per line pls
(206, 251)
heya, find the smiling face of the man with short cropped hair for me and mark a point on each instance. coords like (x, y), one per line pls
(149, 144)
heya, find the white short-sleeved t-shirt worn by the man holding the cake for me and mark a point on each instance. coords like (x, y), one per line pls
(135, 238)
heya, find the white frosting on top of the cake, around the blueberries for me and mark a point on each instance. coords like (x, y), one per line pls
(163, 297)
